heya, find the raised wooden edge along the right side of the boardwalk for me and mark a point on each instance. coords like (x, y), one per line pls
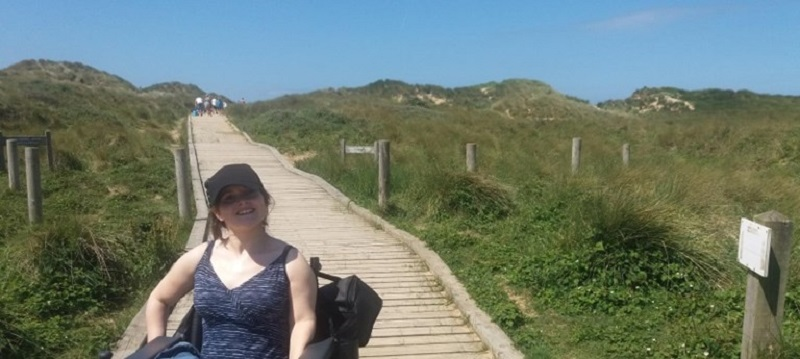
(498, 342)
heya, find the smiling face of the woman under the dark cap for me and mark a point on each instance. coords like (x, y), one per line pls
(240, 207)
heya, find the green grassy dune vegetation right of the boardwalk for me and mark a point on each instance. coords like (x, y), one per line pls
(612, 262)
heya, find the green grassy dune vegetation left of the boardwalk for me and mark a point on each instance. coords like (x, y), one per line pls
(69, 287)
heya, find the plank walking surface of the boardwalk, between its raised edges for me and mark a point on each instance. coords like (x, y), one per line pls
(418, 320)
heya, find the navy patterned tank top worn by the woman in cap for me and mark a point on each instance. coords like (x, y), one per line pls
(250, 321)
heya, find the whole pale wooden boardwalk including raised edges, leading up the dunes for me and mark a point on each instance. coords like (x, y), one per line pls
(426, 313)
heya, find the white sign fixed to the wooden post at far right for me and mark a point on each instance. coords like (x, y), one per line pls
(755, 241)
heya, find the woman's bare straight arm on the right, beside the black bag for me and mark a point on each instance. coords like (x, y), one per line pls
(303, 285)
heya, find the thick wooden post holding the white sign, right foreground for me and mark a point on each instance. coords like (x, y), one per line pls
(761, 334)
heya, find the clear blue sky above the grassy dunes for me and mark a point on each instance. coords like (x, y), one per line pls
(594, 50)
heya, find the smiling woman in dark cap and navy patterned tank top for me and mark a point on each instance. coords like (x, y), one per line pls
(255, 293)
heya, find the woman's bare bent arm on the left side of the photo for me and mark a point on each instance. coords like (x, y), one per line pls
(178, 281)
